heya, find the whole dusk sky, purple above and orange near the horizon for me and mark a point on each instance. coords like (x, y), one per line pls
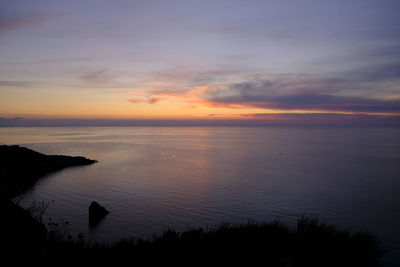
(271, 61)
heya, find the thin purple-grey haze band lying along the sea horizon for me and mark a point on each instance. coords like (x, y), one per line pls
(310, 120)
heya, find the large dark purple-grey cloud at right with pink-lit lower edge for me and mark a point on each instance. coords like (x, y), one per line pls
(349, 93)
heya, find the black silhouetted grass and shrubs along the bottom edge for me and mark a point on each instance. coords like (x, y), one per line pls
(310, 243)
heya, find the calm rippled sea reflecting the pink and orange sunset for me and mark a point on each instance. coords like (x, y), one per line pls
(153, 178)
